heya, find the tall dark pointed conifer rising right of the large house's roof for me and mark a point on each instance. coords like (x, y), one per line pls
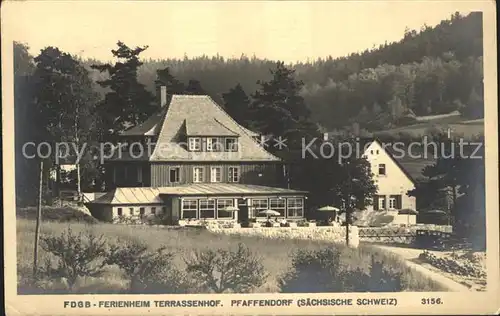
(279, 109)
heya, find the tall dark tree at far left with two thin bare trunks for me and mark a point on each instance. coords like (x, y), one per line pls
(65, 102)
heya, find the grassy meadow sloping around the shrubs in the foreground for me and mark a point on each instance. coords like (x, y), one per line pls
(275, 254)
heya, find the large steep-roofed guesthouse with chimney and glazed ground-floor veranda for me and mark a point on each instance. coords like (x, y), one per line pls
(191, 161)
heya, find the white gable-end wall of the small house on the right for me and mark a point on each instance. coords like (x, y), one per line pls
(394, 182)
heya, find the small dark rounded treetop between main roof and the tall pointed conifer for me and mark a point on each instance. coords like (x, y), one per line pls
(236, 104)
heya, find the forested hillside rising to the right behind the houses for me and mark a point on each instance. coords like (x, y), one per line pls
(430, 71)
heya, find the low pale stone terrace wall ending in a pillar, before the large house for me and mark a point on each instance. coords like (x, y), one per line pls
(325, 233)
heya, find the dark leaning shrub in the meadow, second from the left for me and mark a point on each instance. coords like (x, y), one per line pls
(148, 272)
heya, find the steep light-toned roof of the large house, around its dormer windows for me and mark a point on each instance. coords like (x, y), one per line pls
(200, 108)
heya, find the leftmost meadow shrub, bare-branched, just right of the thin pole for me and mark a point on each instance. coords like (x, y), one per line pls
(79, 255)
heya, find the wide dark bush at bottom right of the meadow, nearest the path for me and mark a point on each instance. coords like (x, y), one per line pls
(320, 271)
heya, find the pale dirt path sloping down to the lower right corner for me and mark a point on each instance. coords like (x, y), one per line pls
(410, 255)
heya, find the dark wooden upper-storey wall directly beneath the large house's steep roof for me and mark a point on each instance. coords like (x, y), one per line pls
(269, 174)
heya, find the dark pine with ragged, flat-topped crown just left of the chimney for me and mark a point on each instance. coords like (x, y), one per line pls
(128, 102)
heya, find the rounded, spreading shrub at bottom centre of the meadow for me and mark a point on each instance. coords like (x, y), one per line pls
(224, 270)
